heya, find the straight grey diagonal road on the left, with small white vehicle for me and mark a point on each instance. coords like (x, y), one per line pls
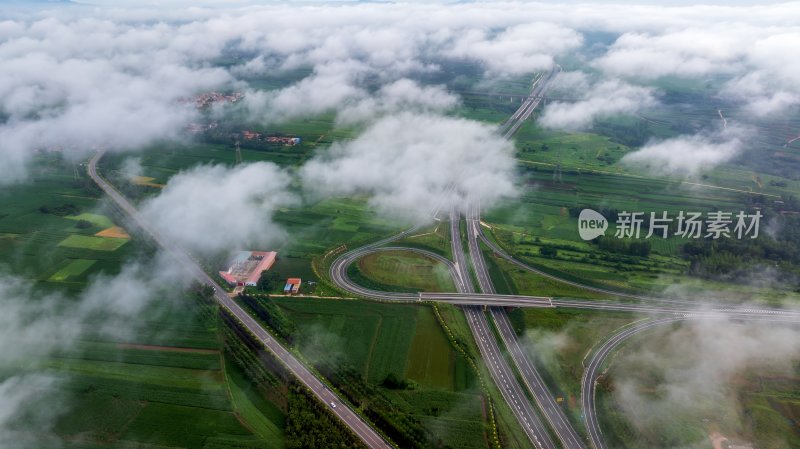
(342, 410)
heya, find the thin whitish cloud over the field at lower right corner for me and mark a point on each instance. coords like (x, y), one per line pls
(688, 373)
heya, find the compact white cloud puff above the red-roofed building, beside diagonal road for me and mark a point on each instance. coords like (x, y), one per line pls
(210, 209)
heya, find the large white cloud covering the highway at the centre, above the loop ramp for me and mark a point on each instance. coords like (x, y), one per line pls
(411, 164)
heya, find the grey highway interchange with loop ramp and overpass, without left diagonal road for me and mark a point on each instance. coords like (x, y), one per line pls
(671, 310)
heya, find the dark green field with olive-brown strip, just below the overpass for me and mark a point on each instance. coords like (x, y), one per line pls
(376, 339)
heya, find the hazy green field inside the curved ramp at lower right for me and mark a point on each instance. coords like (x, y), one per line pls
(756, 406)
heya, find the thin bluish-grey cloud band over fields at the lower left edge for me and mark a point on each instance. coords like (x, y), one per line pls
(34, 325)
